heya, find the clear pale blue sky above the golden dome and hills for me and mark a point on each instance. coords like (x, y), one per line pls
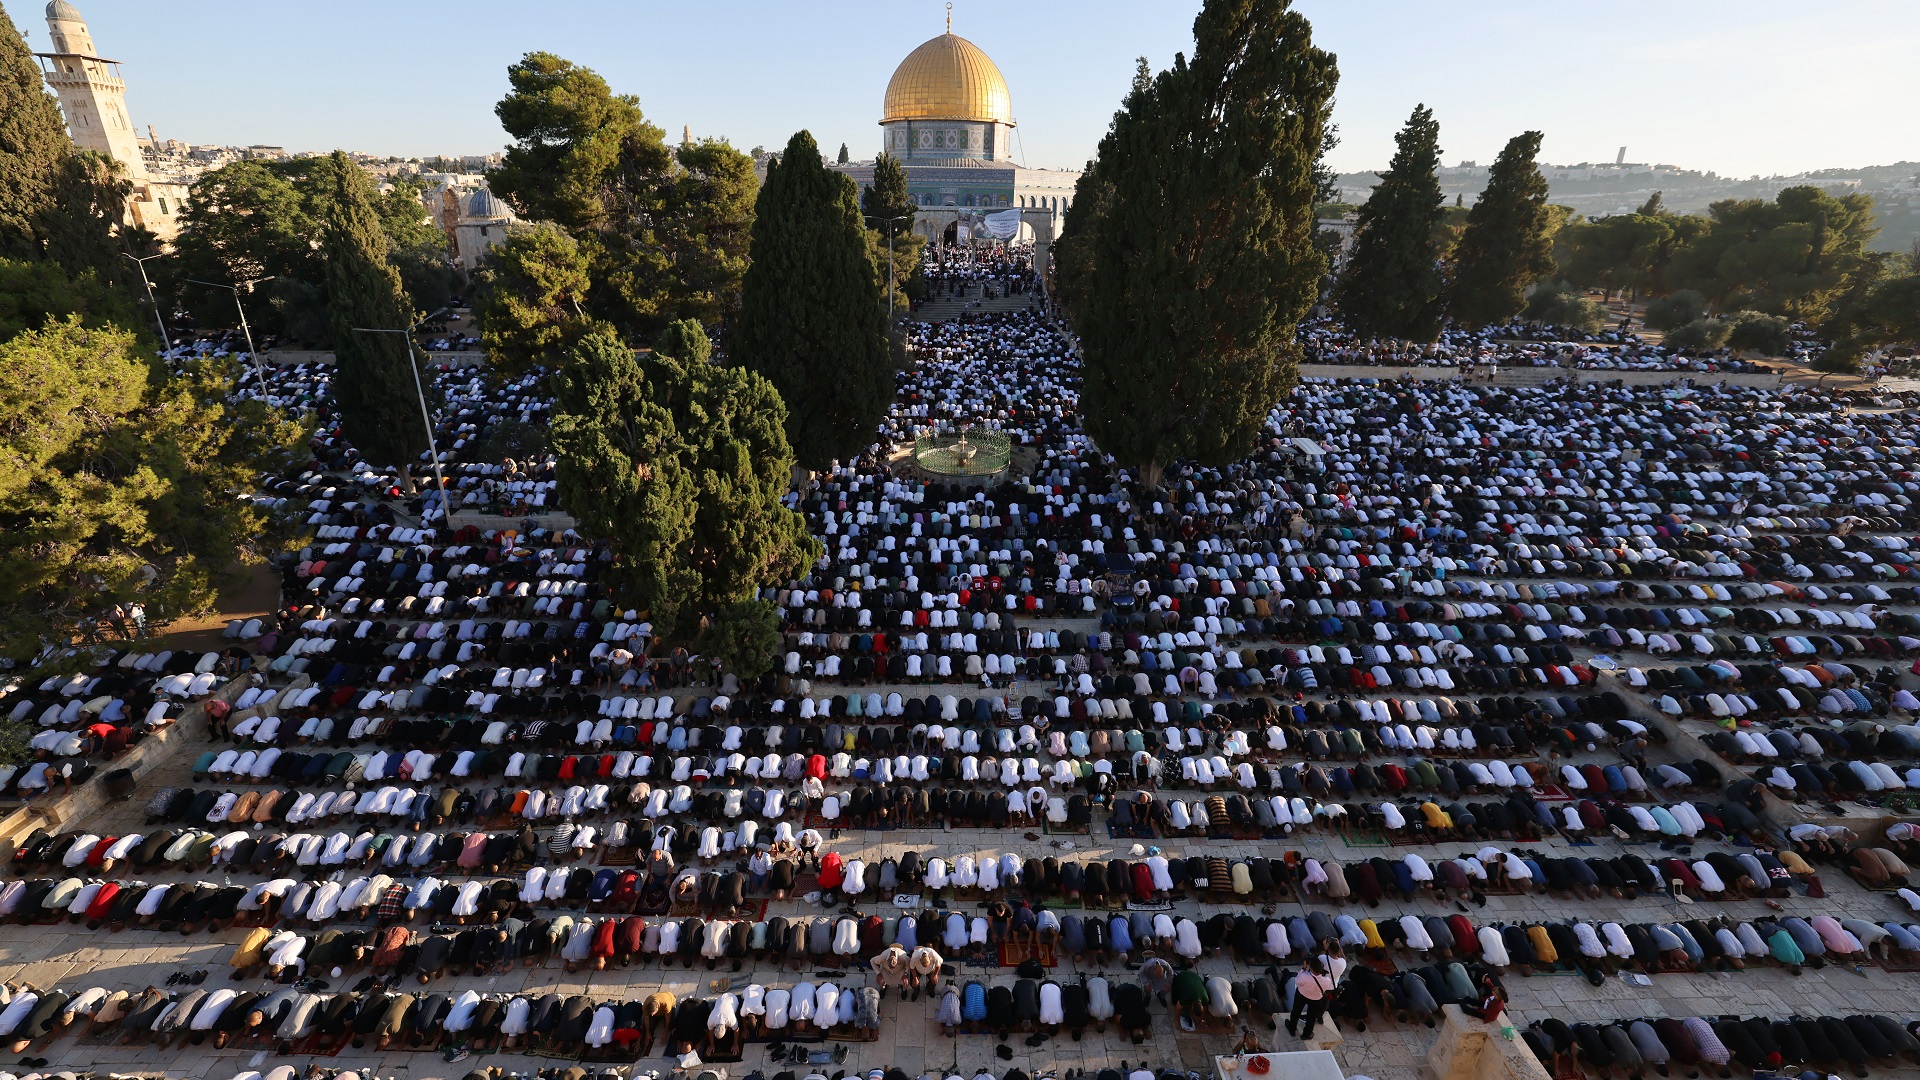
(1729, 86)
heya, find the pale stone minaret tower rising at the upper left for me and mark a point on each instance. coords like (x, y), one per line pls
(95, 103)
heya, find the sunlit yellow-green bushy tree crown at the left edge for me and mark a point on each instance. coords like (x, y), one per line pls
(122, 483)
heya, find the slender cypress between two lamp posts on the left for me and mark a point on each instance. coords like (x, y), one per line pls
(373, 380)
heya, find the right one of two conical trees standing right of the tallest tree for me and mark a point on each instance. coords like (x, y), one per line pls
(1508, 241)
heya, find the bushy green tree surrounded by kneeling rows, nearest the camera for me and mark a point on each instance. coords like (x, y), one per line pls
(684, 466)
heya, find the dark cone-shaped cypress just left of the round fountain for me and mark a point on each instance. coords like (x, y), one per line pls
(811, 316)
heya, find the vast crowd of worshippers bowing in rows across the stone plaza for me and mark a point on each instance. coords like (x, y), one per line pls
(1449, 626)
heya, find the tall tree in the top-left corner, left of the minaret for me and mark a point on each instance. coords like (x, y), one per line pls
(34, 147)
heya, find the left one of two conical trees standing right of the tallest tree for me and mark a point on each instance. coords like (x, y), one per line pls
(1393, 282)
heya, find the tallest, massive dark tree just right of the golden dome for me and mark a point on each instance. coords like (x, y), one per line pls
(1189, 245)
